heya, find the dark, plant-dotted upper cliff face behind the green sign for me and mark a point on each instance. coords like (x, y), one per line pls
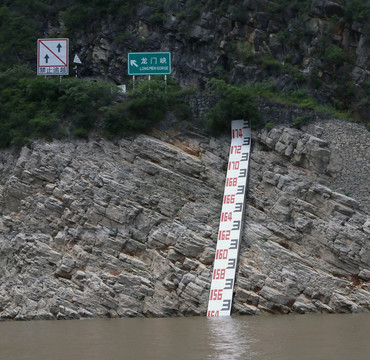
(316, 45)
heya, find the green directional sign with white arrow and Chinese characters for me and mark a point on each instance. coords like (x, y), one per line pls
(149, 63)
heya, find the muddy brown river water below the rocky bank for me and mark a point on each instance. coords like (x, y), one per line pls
(286, 337)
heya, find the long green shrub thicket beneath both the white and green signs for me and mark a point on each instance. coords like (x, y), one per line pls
(33, 106)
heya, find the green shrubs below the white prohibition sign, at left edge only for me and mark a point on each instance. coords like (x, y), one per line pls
(33, 106)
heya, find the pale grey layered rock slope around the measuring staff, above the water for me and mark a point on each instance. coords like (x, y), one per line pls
(128, 228)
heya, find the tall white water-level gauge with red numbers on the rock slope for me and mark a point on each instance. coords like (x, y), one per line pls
(231, 221)
